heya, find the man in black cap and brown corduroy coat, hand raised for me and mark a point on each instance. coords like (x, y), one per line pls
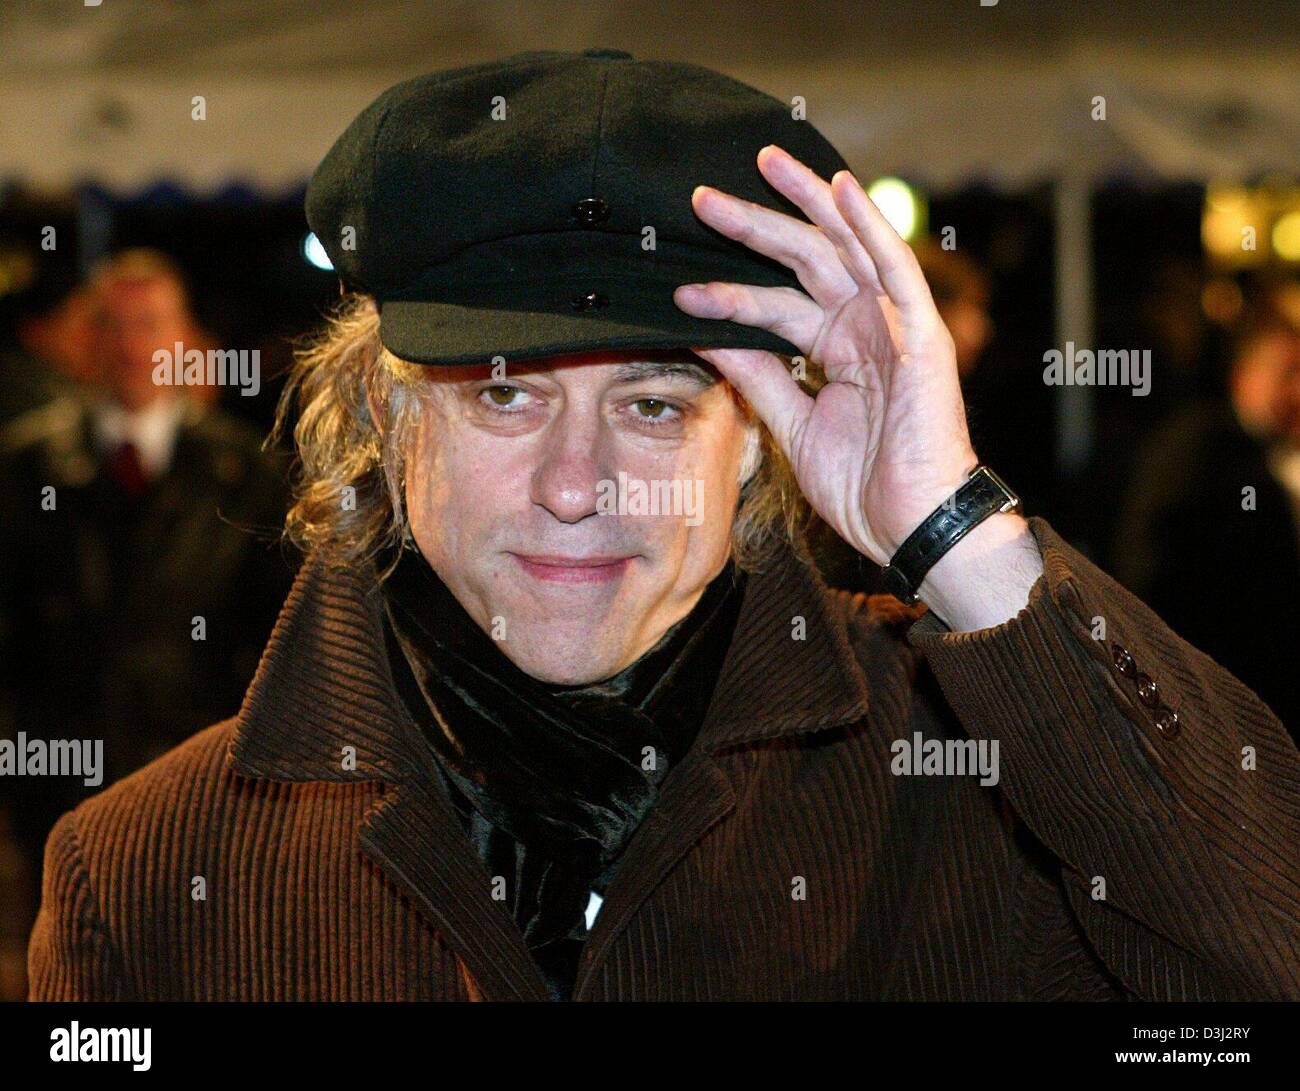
(556, 708)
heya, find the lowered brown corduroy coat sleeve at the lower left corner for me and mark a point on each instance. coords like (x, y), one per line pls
(71, 956)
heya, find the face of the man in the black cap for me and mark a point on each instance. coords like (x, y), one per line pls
(514, 499)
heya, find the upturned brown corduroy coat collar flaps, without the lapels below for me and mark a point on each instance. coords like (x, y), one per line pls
(323, 704)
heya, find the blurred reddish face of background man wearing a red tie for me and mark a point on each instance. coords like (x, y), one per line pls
(137, 318)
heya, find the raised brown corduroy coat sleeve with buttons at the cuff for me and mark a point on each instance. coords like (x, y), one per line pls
(1180, 839)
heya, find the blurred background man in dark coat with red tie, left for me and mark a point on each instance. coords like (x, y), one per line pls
(135, 592)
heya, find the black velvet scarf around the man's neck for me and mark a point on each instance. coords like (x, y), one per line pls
(551, 781)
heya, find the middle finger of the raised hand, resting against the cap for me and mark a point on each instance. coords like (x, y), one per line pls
(792, 243)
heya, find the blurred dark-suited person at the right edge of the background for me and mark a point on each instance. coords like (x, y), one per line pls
(1211, 532)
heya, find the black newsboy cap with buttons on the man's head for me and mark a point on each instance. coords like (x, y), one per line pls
(541, 205)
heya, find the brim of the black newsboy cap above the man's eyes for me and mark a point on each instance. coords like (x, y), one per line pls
(543, 321)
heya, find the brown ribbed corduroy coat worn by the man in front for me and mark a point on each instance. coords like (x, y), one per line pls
(786, 858)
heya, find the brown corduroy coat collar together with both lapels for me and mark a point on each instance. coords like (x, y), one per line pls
(324, 707)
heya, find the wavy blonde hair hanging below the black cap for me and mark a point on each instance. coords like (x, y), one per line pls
(350, 475)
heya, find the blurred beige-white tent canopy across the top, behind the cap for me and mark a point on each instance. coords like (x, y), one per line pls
(956, 93)
